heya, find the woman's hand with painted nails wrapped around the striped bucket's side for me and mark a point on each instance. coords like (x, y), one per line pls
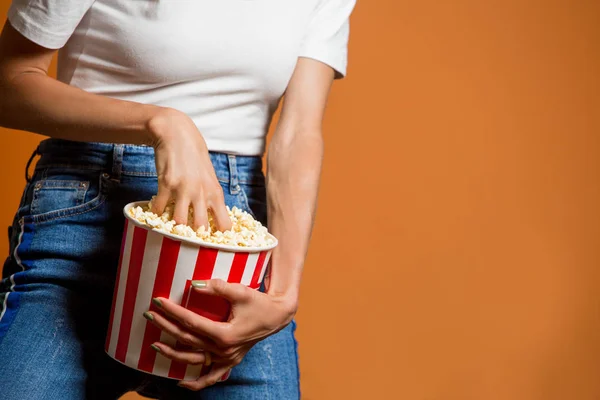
(254, 316)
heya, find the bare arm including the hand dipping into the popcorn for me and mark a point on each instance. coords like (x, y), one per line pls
(31, 100)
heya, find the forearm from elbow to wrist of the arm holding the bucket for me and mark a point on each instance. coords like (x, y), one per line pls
(294, 168)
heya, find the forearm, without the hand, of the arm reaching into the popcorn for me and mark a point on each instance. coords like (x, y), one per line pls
(35, 102)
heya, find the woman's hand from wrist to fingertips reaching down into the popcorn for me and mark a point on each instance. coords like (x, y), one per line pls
(185, 172)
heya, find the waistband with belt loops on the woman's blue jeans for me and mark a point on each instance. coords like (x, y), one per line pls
(137, 160)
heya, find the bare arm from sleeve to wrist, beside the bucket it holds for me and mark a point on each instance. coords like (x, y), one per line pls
(293, 171)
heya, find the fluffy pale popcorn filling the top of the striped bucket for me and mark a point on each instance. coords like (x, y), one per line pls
(245, 230)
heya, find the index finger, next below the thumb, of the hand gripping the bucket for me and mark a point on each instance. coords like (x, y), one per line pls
(190, 321)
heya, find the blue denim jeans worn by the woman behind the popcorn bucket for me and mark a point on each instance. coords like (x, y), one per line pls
(58, 281)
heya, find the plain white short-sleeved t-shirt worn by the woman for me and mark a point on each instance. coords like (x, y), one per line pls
(225, 63)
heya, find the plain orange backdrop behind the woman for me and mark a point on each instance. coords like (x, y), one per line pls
(457, 249)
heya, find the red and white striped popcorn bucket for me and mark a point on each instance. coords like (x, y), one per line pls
(157, 264)
